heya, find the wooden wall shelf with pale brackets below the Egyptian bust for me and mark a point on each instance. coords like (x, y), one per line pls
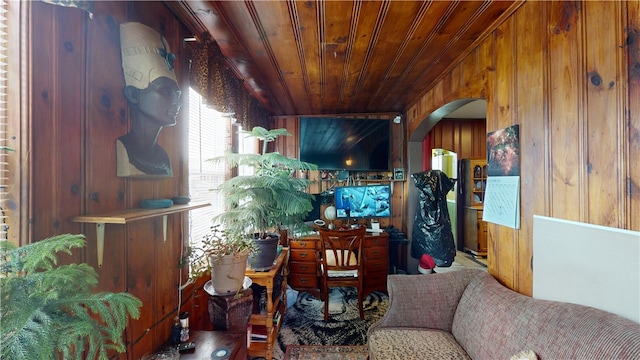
(126, 216)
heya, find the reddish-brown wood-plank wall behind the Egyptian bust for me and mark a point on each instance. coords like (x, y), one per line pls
(76, 109)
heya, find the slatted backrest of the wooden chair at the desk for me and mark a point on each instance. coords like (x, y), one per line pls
(342, 249)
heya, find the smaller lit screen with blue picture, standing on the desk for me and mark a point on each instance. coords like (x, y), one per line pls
(365, 201)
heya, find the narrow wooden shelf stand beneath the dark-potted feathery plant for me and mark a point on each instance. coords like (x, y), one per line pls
(275, 304)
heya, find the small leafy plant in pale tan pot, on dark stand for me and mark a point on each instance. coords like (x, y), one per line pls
(223, 253)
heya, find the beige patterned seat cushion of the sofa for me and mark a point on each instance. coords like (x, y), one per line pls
(414, 343)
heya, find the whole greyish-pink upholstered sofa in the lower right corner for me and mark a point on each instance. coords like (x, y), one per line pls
(468, 314)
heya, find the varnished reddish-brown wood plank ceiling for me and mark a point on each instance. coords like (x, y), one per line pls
(342, 57)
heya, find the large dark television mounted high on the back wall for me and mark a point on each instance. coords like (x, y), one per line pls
(346, 144)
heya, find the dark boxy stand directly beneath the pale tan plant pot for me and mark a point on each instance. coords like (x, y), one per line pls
(231, 312)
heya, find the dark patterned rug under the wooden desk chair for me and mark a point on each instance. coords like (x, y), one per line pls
(303, 323)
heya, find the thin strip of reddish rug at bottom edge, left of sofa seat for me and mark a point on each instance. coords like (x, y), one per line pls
(313, 352)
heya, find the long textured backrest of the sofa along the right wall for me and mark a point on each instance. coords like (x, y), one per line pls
(494, 322)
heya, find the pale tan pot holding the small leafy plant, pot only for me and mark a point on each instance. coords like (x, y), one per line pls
(227, 272)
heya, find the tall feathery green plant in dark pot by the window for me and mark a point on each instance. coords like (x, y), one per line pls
(269, 200)
